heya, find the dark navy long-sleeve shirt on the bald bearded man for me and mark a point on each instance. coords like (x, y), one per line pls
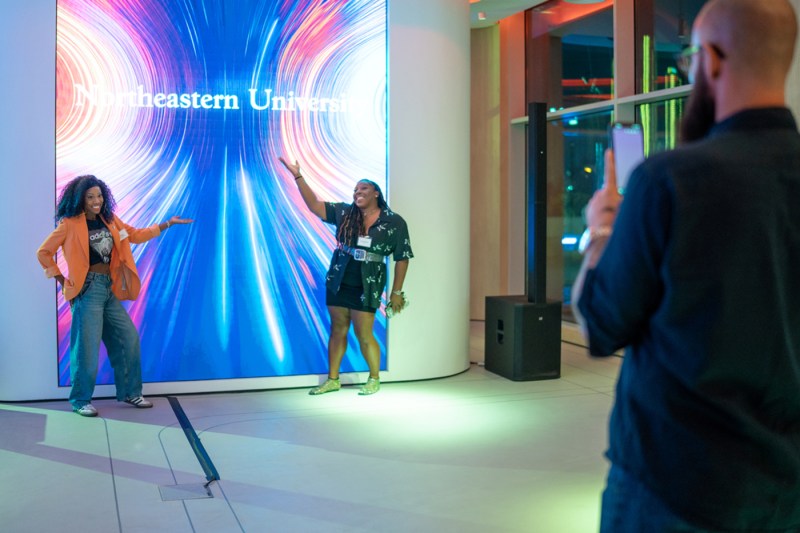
(701, 282)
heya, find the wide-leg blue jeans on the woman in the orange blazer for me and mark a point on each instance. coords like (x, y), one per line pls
(98, 315)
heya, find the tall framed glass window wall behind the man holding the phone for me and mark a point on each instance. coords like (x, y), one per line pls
(572, 46)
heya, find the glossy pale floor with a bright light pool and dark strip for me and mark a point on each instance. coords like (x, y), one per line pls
(469, 453)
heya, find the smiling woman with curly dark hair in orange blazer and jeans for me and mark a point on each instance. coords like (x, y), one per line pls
(96, 245)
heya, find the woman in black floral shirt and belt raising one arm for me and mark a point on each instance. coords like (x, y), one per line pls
(367, 231)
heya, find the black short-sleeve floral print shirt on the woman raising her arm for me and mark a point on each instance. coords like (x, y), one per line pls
(389, 236)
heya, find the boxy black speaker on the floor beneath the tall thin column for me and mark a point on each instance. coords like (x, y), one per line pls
(523, 339)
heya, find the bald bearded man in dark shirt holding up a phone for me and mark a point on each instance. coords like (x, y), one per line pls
(697, 274)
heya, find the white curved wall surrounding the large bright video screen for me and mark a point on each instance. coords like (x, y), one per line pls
(429, 186)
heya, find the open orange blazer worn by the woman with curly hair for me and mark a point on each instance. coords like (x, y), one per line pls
(72, 235)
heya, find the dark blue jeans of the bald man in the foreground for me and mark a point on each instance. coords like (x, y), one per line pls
(629, 507)
